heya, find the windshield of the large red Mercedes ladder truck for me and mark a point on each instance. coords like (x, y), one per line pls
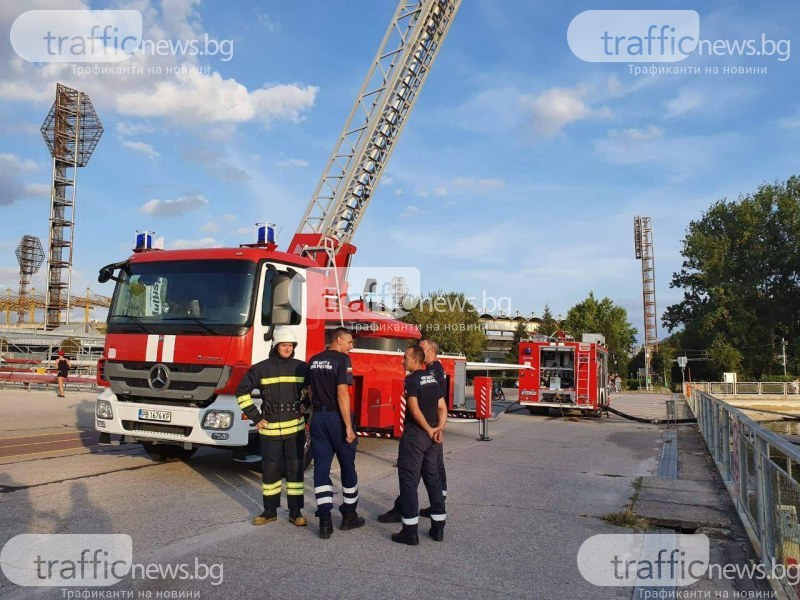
(209, 297)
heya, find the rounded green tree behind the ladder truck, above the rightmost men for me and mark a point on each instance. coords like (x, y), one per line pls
(451, 320)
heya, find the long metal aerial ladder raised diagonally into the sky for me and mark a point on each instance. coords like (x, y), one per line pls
(355, 166)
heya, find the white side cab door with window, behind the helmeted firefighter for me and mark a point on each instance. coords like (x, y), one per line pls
(281, 302)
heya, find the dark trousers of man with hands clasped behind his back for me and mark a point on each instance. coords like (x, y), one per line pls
(417, 458)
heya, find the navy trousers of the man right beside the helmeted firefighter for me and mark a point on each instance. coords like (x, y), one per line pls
(328, 440)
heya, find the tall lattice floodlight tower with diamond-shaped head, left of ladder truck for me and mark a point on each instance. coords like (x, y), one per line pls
(71, 130)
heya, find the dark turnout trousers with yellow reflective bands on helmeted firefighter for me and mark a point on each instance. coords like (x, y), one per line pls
(281, 457)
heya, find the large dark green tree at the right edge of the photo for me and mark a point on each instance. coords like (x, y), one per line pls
(741, 281)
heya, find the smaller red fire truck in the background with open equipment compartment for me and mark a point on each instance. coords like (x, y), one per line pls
(564, 373)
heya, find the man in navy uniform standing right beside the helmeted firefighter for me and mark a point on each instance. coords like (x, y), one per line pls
(332, 432)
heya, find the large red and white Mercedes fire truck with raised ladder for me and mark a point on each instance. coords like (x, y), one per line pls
(185, 325)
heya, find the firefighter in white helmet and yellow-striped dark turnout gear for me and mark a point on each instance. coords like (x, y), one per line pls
(282, 381)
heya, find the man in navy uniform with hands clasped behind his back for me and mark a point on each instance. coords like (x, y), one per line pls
(426, 414)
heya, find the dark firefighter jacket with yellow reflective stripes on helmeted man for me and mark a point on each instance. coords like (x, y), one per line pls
(282, 383)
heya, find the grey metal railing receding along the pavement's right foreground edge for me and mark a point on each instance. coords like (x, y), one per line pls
(761, 470)
